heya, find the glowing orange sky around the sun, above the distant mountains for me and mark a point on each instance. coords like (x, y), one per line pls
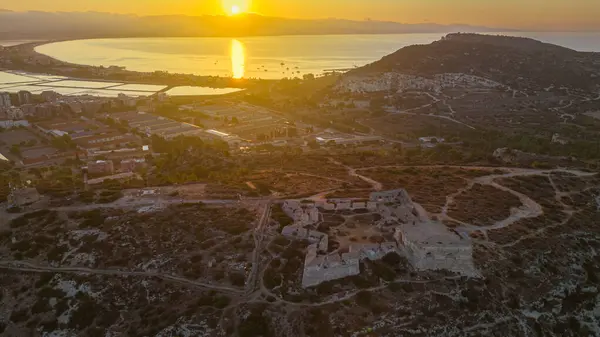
(524, 14)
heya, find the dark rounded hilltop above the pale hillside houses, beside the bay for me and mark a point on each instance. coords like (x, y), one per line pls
(520, 63)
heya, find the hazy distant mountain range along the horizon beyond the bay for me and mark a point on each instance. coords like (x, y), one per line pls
(70, 25)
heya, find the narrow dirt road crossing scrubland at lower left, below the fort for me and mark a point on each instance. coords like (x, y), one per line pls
(30, 267)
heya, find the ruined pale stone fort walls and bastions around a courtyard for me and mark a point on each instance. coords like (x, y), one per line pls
(427, 245)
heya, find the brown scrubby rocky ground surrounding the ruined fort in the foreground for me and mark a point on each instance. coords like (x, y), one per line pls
(198, 270)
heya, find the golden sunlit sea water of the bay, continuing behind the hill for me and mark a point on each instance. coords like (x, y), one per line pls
(270, 57)
